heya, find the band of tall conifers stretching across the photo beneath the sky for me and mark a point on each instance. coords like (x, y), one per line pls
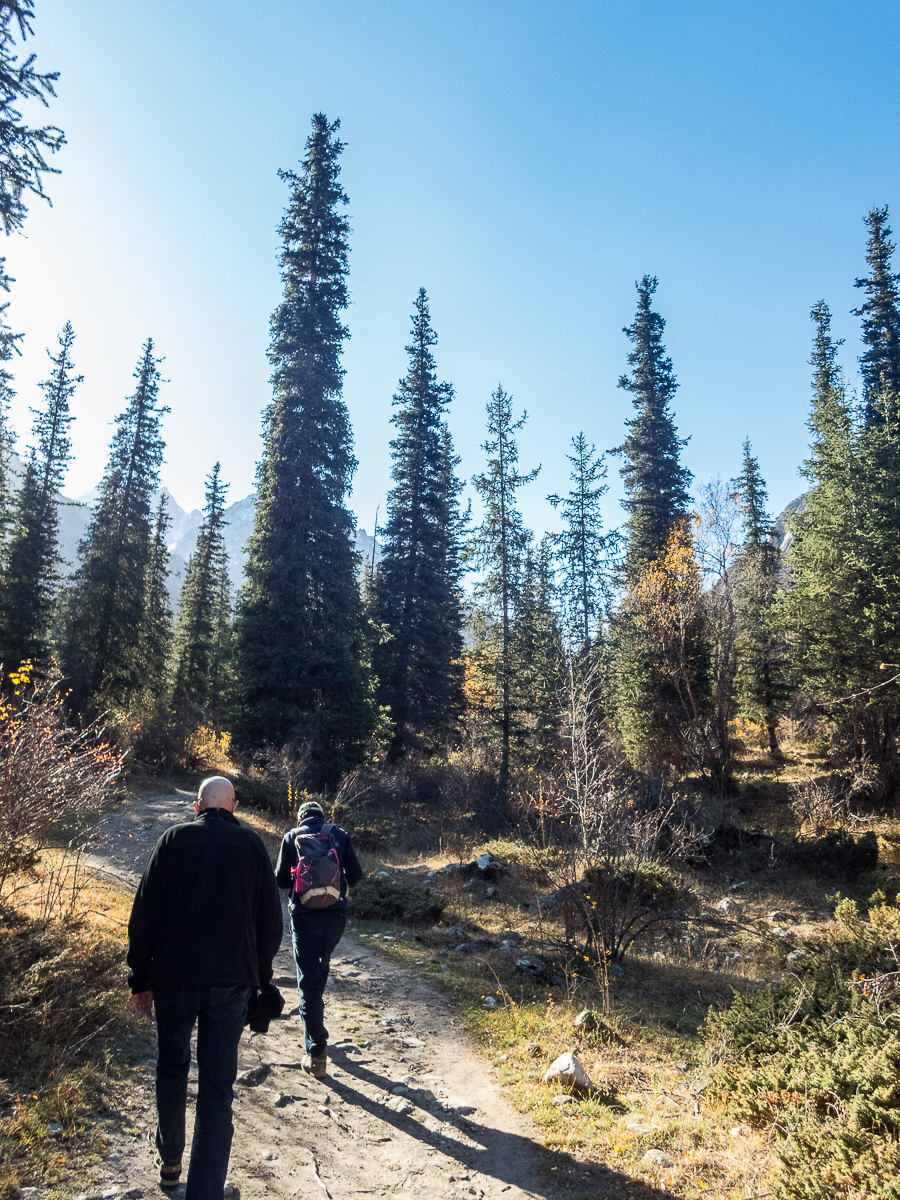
(700, 621)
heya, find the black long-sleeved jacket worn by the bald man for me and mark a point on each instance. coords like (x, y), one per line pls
(207, 913)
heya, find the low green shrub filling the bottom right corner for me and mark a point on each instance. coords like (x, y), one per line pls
(819, 1063)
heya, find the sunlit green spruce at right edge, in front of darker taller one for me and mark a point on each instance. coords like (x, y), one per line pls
(845, 560)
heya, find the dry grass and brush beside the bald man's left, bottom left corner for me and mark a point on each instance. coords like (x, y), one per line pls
(68, 1049)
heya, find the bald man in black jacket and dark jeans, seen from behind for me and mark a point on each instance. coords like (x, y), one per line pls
(205, 931)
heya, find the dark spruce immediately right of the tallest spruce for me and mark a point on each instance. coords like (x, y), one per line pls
(417, 591)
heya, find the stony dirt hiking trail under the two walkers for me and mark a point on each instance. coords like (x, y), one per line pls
(407, 1109)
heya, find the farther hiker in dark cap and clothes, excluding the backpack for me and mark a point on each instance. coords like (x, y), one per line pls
(316, 932)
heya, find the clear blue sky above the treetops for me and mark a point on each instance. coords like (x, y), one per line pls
(525, 163)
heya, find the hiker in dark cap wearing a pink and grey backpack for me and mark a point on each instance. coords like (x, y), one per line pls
(316, 866)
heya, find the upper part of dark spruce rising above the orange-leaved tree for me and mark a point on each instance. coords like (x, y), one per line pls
(656, 482)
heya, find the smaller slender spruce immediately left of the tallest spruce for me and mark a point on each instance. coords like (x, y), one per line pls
(201, 641)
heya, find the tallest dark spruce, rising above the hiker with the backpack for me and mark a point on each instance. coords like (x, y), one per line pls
(299, 631)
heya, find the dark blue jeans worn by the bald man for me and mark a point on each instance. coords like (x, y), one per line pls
(219, 1015)
